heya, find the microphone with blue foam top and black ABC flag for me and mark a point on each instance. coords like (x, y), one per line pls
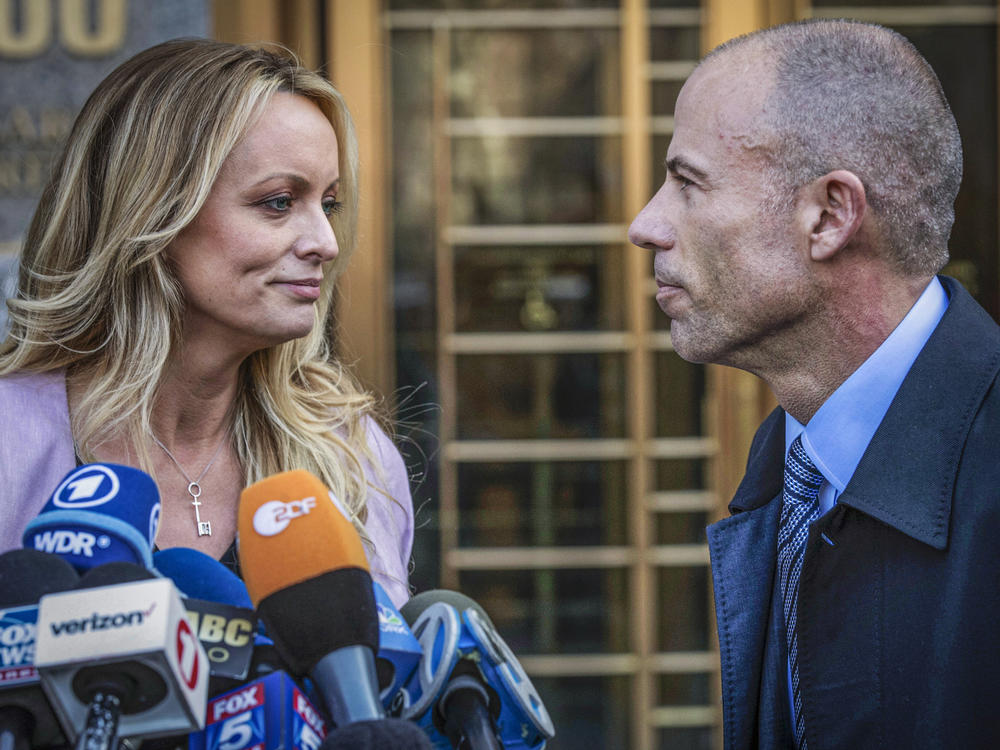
(219, 609)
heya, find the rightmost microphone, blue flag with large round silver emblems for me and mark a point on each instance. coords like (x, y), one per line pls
(469, 686)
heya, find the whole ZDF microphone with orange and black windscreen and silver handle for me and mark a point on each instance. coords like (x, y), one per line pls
(307, 573)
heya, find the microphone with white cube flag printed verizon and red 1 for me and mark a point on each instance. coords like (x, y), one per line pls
(117, 656)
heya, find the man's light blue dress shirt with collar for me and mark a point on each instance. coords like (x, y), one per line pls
(838, 434)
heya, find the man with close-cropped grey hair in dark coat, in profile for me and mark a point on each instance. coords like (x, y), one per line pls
(809, 198)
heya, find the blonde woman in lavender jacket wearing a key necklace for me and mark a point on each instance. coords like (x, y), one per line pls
(173, 309)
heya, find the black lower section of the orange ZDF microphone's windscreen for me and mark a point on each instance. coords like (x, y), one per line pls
(307, 620)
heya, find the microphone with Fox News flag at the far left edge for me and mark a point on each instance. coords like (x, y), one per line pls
(26, 718)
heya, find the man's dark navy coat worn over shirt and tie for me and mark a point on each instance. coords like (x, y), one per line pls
(899, 618)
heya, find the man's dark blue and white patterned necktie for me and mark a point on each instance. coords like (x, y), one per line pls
(799, 508)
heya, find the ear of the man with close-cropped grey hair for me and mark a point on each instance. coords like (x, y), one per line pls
(832, 209)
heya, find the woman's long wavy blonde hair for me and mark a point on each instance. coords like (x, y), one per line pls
(97, 296)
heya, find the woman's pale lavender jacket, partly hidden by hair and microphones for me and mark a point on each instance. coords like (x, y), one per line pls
(36, 452)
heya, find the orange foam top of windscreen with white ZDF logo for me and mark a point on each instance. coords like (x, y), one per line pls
(291, 530)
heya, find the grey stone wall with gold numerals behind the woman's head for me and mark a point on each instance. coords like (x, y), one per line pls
(52, 55)
